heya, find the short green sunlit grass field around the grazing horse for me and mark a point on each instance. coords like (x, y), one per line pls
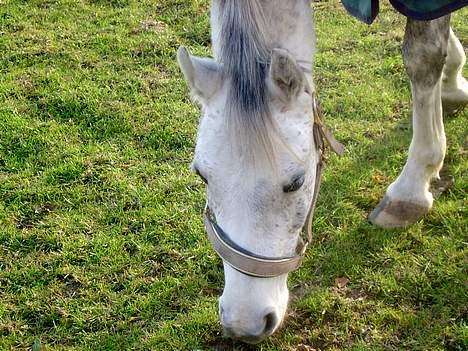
(101, 243)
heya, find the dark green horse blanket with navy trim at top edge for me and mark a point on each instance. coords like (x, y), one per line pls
(423, 10)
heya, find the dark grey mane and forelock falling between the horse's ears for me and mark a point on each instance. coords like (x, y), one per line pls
(245, 55)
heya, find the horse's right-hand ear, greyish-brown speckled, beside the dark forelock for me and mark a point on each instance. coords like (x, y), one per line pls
(286, 77)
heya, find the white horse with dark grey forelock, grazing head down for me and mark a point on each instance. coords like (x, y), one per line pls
(257, 147)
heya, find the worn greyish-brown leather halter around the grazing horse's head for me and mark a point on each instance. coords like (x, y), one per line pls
(259, 266)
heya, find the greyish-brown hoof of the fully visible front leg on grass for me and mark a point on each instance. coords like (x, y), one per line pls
(396, 214)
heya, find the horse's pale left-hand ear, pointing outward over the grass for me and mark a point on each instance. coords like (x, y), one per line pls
(202, 74)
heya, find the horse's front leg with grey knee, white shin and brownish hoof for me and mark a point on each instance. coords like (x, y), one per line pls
(408, 197)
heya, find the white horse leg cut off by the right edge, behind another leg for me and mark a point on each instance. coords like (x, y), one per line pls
(454, 85)
